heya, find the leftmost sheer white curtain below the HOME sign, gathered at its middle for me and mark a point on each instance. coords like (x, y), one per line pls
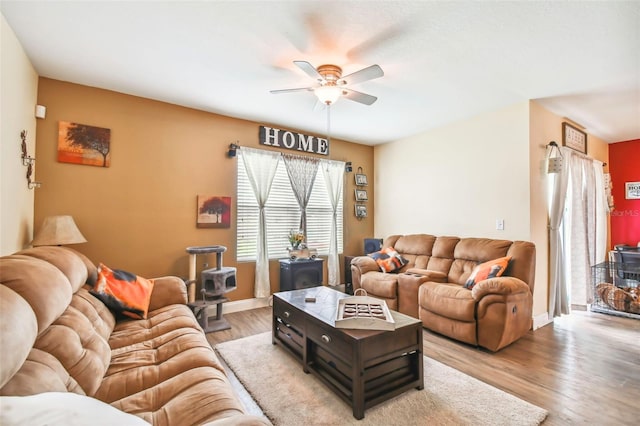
(261, 167)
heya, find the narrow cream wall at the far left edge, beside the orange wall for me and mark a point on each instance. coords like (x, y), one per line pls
(19, 87)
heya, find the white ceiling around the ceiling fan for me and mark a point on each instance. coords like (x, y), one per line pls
(443, 61)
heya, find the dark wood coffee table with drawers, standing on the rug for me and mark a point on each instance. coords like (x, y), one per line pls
(363, 367)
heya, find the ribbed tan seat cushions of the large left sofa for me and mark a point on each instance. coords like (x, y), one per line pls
(163, 364)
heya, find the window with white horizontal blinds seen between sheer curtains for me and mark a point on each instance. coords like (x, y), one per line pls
(283, 215)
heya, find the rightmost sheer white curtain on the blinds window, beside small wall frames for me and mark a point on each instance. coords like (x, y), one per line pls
(333, 172)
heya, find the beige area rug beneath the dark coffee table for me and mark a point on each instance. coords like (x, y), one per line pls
(288, 396)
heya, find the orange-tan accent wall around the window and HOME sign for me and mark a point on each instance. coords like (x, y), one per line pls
(139, 214)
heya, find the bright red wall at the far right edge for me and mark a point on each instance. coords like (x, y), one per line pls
(624, 166)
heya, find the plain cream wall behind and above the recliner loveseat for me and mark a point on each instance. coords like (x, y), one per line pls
(458, 179)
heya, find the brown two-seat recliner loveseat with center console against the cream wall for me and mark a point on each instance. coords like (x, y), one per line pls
(493, 314)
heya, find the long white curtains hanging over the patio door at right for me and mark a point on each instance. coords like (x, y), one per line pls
(578, 227)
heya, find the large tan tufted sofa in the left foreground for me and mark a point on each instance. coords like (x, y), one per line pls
(62, 349)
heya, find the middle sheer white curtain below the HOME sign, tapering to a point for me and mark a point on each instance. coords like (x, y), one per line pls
(302, 173)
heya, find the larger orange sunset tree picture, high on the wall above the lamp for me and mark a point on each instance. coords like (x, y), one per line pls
(83, 144)
